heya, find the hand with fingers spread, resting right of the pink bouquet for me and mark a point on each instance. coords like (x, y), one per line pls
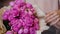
(52, 18)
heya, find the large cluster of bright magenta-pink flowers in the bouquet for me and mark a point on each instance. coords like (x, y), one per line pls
(22, 18)
